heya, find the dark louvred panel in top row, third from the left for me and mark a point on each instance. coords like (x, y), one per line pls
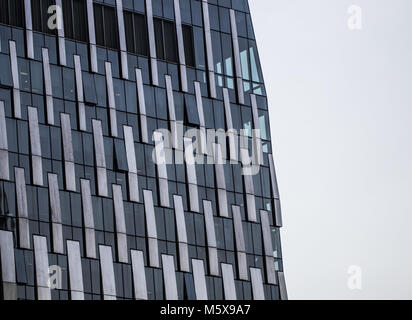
(75, 22)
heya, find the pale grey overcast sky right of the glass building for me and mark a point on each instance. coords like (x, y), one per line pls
(341, 117)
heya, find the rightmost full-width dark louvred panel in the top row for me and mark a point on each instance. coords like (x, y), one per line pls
(166, 40)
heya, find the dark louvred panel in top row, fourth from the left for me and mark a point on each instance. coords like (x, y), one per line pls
(106, 26)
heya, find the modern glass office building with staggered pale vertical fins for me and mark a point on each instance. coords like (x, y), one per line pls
(88, 209)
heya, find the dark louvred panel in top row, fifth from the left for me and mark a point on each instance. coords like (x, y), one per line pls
(136, 33)
